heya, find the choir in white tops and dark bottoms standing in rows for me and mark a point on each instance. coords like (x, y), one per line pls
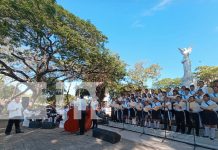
(186, 107)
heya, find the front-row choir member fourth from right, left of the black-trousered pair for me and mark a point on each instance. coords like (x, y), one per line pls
(167, 112)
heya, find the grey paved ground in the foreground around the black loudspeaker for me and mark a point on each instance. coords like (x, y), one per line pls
(57, 139)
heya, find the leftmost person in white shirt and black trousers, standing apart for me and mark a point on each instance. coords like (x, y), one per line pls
(15, 114)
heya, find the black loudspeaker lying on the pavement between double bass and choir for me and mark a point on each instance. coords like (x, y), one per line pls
(106, 135)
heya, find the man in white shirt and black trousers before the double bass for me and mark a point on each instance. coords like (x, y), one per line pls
(81, 103)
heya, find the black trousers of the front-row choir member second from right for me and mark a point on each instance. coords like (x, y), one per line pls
(194, 122)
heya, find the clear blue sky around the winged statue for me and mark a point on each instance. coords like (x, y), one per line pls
(152, 30)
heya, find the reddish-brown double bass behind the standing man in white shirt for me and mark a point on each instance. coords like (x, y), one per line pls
(72, 123)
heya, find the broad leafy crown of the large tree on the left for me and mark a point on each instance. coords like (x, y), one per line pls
(39, 41)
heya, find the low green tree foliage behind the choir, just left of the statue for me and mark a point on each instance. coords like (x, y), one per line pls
(167, 82)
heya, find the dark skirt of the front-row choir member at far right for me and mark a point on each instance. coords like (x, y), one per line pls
(210, 117)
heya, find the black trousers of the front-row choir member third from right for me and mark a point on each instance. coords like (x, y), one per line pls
(180, 121)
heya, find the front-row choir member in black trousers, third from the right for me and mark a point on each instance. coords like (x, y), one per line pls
(180, 107)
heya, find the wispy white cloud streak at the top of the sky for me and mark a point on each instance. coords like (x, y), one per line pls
(159, 6)
